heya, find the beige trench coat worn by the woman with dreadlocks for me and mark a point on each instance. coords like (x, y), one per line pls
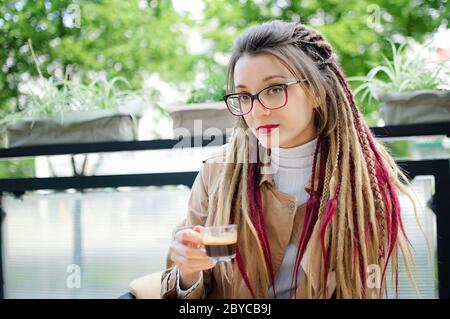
(284, 220)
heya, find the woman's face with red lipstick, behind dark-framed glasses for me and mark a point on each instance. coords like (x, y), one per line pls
(252, 73)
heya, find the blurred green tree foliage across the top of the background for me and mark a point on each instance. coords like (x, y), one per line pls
(126, 38)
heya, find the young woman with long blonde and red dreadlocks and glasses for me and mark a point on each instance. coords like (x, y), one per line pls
(325, 220)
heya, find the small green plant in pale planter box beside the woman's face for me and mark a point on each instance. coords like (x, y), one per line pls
(204, 105)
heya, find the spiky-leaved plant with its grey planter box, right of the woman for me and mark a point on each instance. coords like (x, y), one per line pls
(410, 89)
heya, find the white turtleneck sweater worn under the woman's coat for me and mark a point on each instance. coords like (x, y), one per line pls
(291, 170)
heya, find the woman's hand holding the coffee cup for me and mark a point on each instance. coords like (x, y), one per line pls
(189, 257)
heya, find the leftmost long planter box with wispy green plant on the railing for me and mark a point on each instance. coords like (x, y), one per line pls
(69, 111)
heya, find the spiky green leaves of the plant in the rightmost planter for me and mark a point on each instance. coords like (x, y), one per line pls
(402, 73)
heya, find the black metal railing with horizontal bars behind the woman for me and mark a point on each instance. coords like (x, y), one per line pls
(439, 168)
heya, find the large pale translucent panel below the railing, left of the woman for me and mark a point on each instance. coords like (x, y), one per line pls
(114, 237)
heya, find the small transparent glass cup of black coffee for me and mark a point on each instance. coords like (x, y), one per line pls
(220, 242)
